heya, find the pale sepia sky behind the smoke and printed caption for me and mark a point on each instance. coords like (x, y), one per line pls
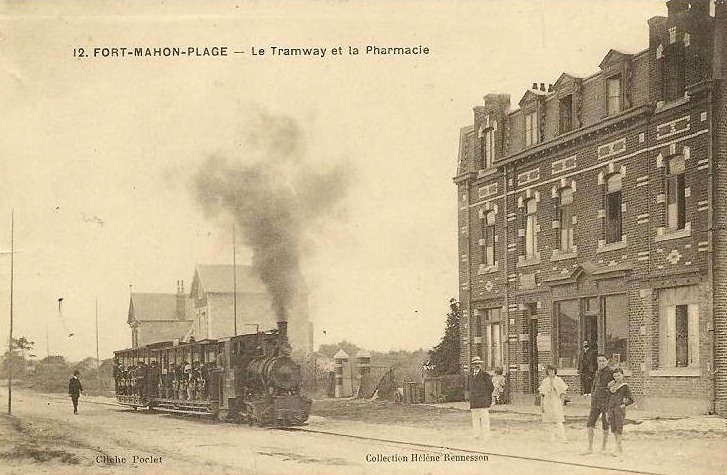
(98, 156)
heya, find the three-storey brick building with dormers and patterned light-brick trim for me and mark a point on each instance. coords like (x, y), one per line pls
(597, 210)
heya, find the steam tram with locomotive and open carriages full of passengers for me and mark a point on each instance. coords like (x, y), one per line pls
(248, 378)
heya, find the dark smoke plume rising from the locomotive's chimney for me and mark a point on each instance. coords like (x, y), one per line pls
(276, 198)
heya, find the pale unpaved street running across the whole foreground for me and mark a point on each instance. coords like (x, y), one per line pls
(104, 438)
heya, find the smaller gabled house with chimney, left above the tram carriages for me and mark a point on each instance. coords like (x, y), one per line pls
(155, 317)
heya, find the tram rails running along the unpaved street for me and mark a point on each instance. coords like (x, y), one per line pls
(430, 447)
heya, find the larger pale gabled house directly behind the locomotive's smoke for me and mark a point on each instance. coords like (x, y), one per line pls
(213, 298)
